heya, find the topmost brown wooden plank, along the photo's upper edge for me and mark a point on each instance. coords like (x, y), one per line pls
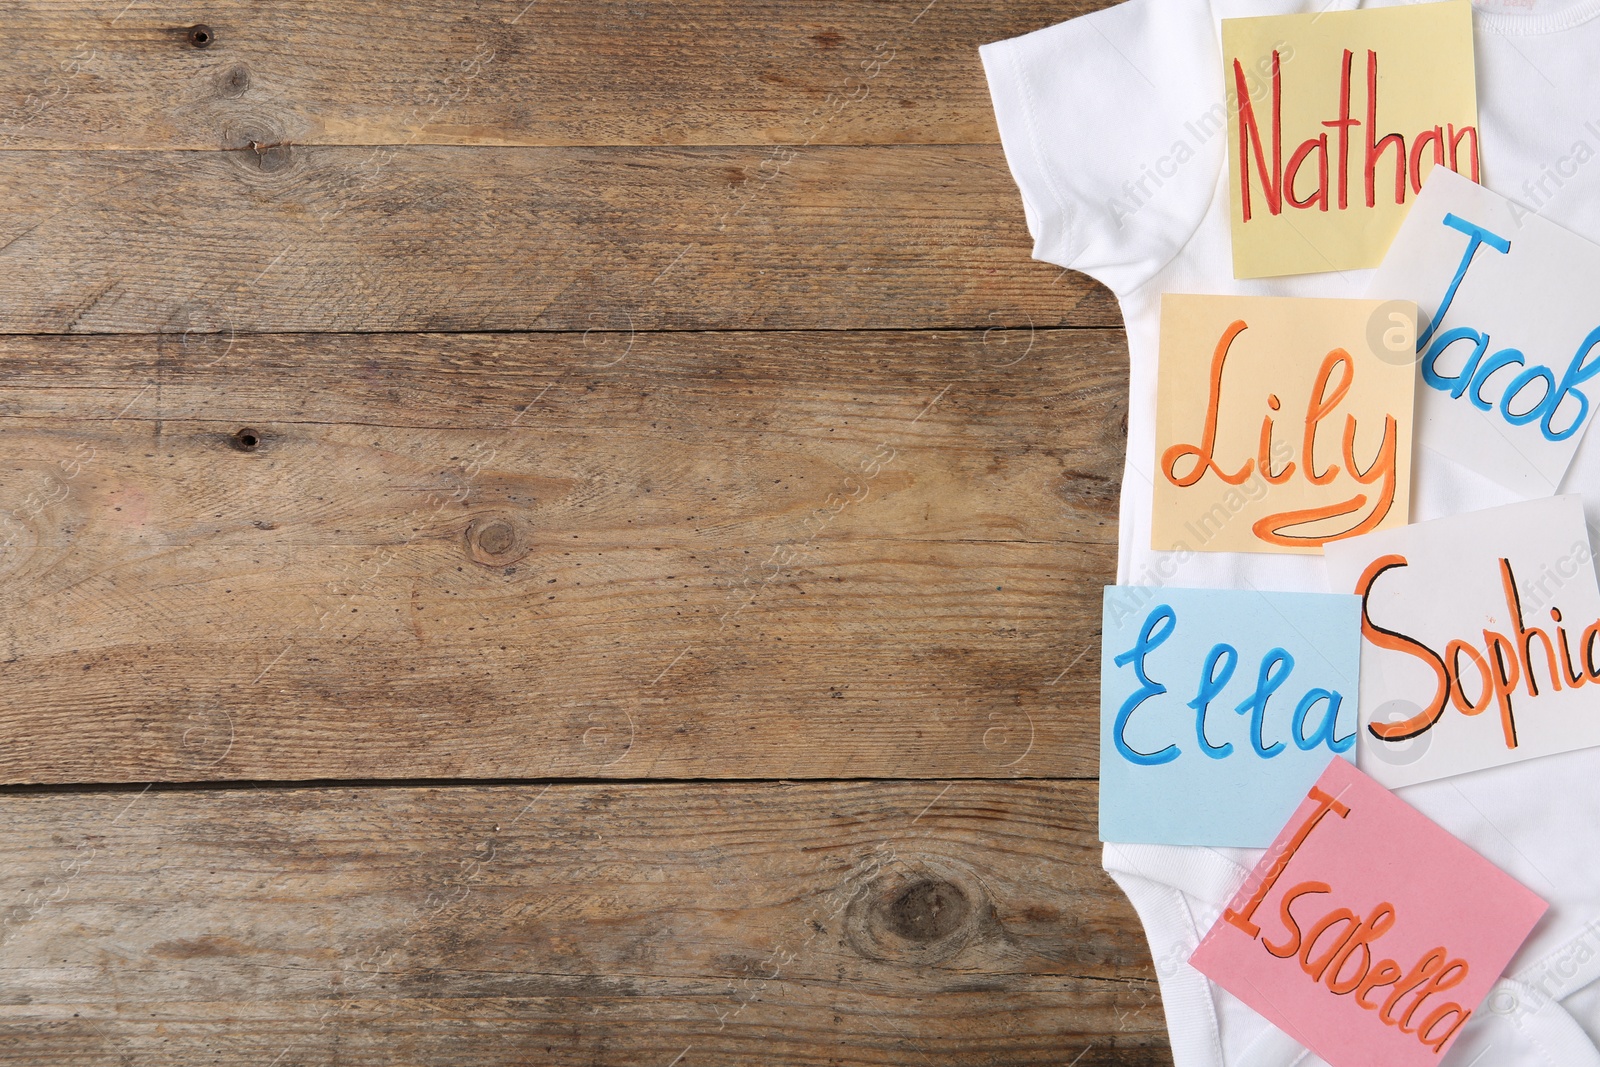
(105, 76)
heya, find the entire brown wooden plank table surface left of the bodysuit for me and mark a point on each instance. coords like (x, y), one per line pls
(546, 533)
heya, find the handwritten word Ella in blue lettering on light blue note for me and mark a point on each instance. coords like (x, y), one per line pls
(1215, 676)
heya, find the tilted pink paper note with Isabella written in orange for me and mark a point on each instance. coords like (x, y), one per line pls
(1367, 933)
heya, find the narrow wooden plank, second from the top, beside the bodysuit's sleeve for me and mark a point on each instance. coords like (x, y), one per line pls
(522, 239)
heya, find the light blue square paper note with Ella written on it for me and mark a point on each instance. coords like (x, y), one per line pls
(1220, 709)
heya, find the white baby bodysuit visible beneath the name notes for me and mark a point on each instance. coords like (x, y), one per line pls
(1116, 130)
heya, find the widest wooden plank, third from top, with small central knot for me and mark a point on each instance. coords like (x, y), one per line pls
(679, 556)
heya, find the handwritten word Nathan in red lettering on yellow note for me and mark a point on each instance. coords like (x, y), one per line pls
(1281, 185)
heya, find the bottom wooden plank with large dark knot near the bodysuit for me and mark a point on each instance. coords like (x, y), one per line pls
(692, 924)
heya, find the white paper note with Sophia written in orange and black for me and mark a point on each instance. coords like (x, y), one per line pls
(1481, 641)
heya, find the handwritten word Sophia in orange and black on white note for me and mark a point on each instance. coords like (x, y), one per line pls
(1505, 661)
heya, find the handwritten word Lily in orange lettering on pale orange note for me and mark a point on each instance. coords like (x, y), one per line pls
(1334, 385)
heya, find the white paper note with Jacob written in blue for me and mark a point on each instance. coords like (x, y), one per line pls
(1511, 338)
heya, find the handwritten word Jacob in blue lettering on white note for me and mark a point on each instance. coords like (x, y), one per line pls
(1484, 366)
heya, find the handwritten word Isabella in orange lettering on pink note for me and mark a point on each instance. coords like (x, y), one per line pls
(1338, 949)
